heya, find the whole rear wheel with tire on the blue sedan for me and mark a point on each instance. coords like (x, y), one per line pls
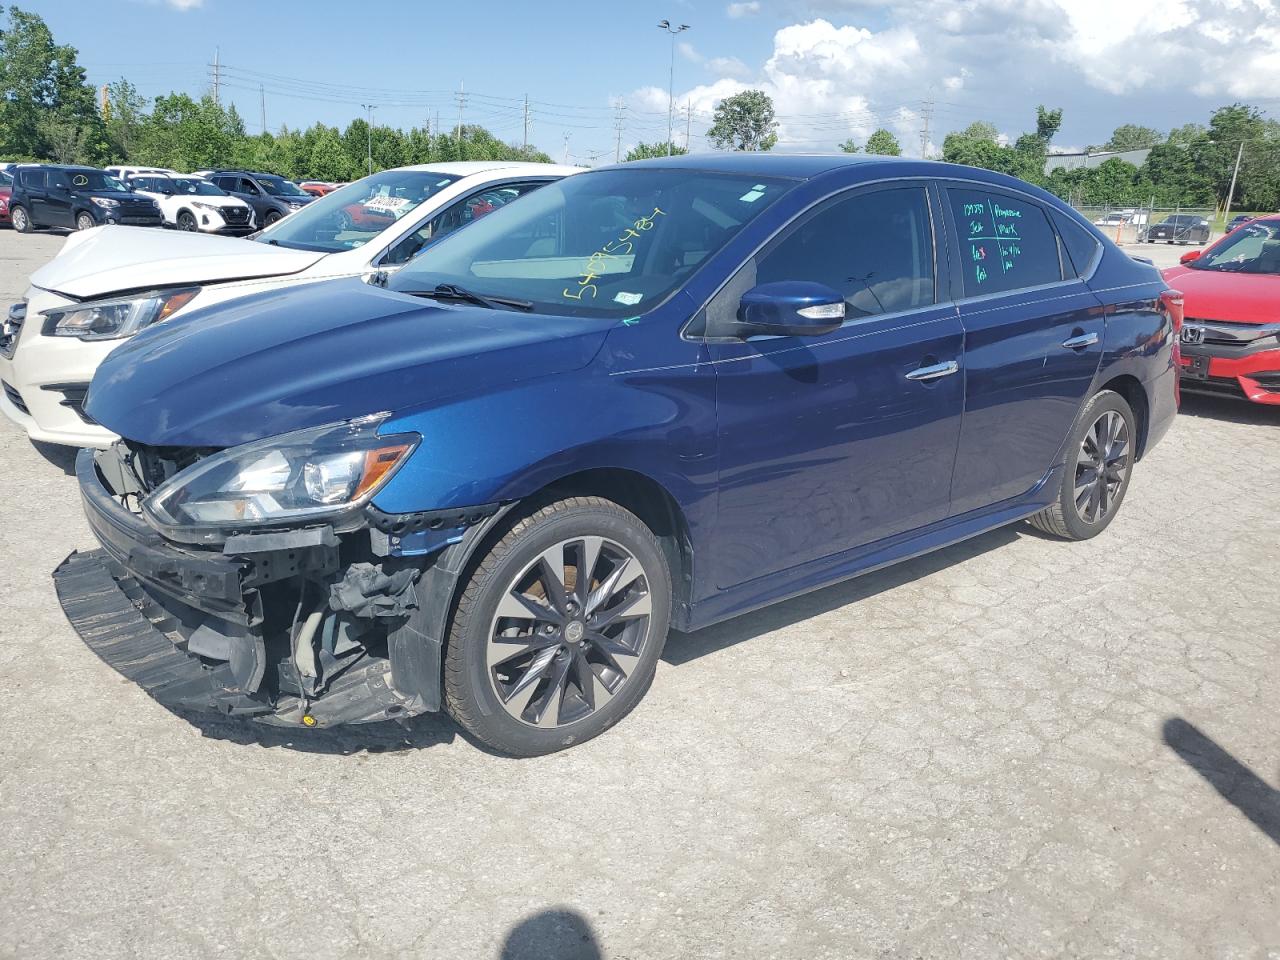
(1099, 465)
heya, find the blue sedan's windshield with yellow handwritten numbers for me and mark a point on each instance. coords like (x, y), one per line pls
(607, 244)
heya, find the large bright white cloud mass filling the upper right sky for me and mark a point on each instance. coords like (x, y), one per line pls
(874, 63)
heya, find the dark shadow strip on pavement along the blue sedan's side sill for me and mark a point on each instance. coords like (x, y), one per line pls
(683, 648)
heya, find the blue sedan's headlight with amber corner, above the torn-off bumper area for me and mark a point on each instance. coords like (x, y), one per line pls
(323, 472)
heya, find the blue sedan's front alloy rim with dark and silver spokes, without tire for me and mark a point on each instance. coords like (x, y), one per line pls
(569, 632)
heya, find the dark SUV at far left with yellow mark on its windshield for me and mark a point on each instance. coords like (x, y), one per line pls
(80, 198)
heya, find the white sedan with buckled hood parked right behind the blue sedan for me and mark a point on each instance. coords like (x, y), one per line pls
(111, 282)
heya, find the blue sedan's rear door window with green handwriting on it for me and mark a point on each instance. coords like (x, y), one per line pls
(1007, 243)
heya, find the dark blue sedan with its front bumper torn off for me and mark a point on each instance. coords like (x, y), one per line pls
(648, 397)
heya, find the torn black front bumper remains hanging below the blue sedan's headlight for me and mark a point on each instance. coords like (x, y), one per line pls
(205, 630)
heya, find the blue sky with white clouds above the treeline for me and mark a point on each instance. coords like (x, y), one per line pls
(835, 68)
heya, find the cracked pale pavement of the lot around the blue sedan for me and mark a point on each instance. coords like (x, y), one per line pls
(1012, 748)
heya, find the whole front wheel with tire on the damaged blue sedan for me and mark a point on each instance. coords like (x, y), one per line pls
(542, 657)
